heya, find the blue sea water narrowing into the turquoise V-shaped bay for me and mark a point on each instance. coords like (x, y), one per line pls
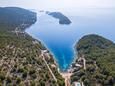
(61, 39)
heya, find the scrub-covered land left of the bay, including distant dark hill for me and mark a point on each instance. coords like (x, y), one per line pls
(24, 61)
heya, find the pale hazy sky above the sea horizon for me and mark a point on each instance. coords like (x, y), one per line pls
(58, 4)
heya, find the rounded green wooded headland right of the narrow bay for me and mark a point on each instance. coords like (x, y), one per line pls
(95, 64)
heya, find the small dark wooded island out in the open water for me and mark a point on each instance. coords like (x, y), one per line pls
(62, 18)
